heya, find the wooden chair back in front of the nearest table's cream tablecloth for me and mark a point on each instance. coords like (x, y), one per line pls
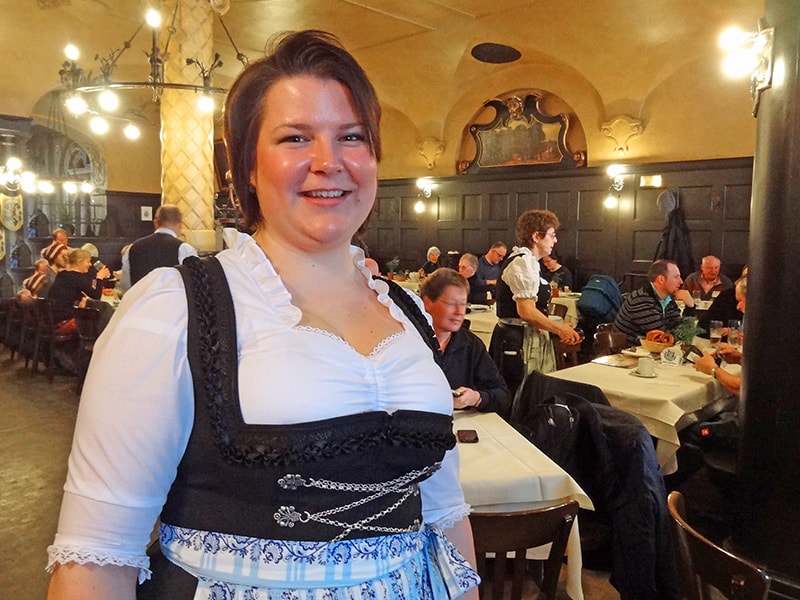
(505, 532)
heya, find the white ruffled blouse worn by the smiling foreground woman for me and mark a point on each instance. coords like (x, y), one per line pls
(137, 409)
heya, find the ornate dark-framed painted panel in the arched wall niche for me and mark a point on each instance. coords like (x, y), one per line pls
(521, 135)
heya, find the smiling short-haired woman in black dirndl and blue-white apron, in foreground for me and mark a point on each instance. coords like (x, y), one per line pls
(303, 444)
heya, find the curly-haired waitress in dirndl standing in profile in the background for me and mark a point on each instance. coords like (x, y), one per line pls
(523, 296)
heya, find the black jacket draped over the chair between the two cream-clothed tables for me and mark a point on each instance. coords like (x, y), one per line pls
(612, 457)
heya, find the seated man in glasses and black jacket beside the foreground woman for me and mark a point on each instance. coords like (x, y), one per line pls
(469, 369)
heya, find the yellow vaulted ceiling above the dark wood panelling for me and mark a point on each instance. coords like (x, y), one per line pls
(652, 61)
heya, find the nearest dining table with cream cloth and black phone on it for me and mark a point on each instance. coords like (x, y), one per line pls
(504, 472)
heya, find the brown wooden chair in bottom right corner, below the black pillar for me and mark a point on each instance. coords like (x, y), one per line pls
(701, 563)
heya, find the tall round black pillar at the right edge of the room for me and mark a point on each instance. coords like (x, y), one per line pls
(769, 528)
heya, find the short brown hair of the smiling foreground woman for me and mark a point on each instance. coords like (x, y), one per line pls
(313, 53)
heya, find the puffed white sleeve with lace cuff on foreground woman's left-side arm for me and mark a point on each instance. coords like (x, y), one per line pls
(134, 420)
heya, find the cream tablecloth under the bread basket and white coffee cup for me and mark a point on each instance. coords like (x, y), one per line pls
(661, 403)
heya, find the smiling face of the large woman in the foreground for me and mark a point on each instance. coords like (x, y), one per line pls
(315, 175)
